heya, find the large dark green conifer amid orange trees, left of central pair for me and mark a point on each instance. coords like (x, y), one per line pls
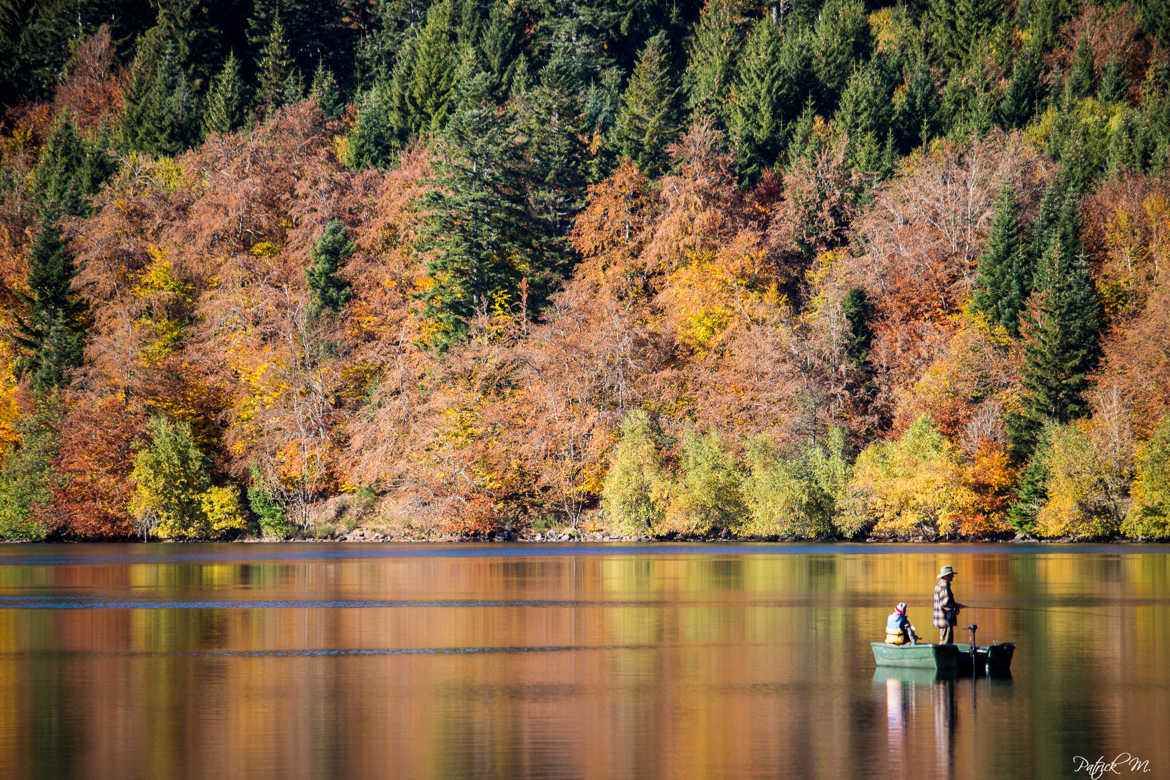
(478, 230)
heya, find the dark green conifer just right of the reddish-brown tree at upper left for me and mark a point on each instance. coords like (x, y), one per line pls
(161, 114)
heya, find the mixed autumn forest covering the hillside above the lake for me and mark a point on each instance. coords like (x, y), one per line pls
(497, 270)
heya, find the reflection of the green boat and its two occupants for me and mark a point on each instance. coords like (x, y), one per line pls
(910, 693)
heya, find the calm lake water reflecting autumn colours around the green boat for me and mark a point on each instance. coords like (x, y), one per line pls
(254, 661)
